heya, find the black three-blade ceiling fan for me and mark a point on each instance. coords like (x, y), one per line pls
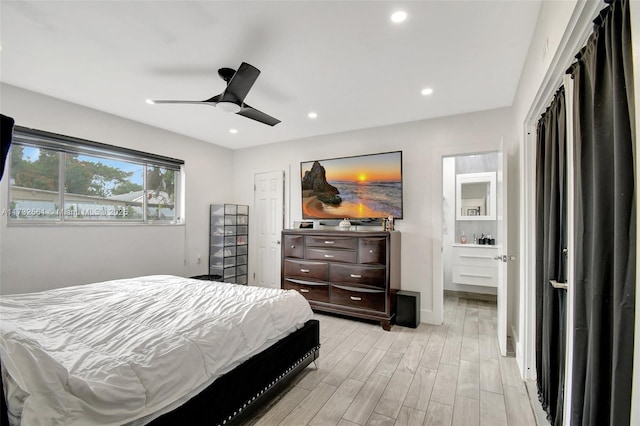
(232, 99)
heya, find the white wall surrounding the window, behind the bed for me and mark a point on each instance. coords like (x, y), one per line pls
(40, 257)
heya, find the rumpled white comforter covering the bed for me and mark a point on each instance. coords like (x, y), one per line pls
(117, 351)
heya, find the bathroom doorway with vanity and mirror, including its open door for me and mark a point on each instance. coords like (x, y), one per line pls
(473, 240)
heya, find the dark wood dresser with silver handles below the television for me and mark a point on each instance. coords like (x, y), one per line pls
(354, 273)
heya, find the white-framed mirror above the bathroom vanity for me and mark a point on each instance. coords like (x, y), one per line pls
(476, 196)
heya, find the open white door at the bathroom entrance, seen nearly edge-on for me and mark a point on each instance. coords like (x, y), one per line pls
(503, 257)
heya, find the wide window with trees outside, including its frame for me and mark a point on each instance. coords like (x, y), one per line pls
(54, 178)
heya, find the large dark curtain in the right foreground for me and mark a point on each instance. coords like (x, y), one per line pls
(605, 223)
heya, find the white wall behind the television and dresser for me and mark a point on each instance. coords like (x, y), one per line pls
(423, 143)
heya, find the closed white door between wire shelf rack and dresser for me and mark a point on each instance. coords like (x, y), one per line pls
(269, 220)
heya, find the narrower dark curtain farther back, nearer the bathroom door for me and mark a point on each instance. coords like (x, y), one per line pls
(550, 257)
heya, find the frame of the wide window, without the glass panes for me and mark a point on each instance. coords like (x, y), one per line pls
(68, 145)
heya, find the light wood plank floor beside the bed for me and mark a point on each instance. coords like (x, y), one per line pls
(433, 375)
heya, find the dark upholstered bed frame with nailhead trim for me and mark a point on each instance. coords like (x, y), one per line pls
(233, 397)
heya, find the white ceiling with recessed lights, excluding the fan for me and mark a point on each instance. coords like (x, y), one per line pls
(344, 60)
